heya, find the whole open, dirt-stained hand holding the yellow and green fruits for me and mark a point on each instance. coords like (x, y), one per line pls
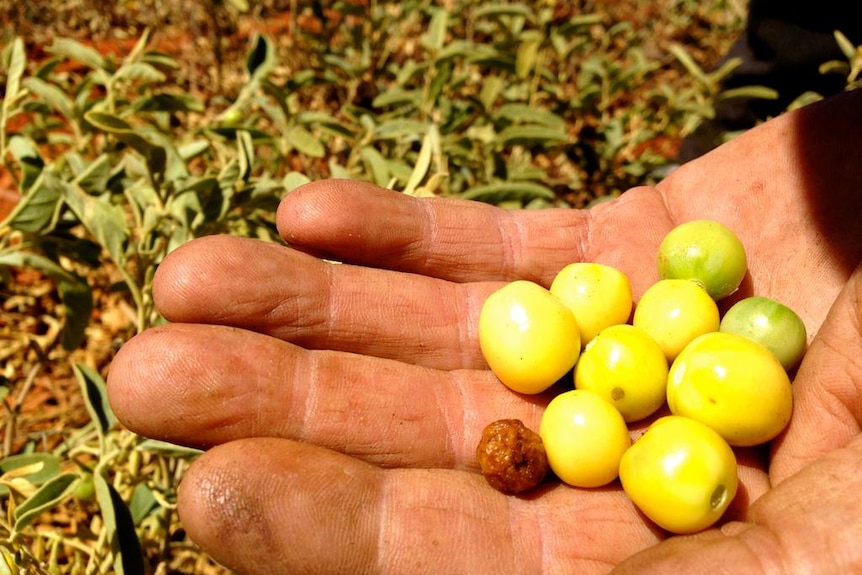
(322, 507)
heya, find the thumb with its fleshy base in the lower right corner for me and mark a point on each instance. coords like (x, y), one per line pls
(815, 500)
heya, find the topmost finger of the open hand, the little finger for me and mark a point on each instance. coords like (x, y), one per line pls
(468, 241)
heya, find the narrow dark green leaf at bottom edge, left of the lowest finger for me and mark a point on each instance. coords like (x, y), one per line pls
(125, 545)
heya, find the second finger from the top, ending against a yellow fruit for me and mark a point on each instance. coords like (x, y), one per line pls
(298, 298)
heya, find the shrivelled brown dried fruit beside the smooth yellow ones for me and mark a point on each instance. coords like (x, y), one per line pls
(511, 456)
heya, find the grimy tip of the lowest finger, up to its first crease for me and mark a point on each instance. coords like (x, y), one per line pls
(229, 508)
